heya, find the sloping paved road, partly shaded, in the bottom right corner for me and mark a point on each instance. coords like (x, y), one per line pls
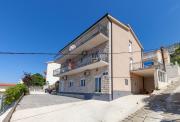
(163, 108)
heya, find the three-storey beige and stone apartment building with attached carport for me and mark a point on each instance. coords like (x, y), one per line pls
(105, 62)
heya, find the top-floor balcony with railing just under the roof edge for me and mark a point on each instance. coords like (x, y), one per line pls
(94, 37)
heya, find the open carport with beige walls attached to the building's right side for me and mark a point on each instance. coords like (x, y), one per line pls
(148, 80)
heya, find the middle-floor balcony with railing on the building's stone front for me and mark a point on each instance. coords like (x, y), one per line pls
(88, 63)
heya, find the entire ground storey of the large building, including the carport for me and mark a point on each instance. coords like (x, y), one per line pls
(96, 83)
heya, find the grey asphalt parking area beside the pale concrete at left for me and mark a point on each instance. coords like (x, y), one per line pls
(40, 100)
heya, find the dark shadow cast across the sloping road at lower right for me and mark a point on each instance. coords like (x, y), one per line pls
(167, 104)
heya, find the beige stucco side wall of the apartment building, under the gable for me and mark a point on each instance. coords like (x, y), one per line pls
(121, 57)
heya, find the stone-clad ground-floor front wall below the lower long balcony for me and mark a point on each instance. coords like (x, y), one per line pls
(89, 84)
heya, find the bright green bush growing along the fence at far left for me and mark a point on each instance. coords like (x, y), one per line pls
(14, 93)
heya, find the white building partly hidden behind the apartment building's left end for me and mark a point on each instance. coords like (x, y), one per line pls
(51, 66)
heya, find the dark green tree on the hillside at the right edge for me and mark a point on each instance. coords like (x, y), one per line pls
(175, 57)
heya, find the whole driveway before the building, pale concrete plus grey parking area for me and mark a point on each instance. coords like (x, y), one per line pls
(47, 108)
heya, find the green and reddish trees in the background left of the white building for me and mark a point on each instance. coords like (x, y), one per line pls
(33, 79)
